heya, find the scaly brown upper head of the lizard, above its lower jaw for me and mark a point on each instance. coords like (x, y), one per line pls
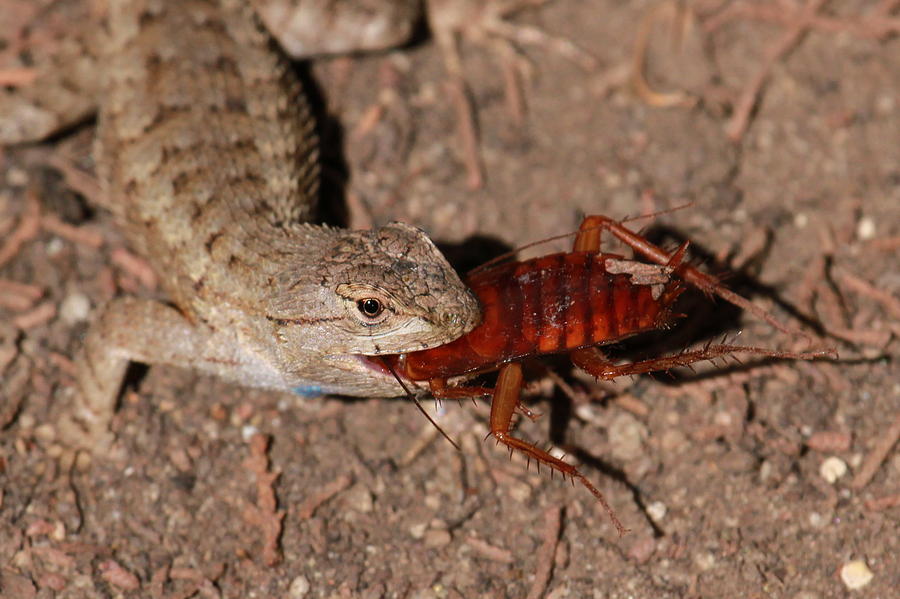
(385, 291)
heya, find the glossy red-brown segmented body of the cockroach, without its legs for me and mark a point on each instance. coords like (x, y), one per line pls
(550, 304)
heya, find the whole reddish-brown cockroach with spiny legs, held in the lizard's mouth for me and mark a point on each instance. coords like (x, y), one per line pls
(570, 303)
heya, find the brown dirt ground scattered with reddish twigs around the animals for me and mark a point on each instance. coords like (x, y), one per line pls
(779, 479)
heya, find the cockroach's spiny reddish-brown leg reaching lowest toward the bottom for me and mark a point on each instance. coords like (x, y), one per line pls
(503, 404)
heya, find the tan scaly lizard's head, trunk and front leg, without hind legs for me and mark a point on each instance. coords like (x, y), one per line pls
(208, 157)
